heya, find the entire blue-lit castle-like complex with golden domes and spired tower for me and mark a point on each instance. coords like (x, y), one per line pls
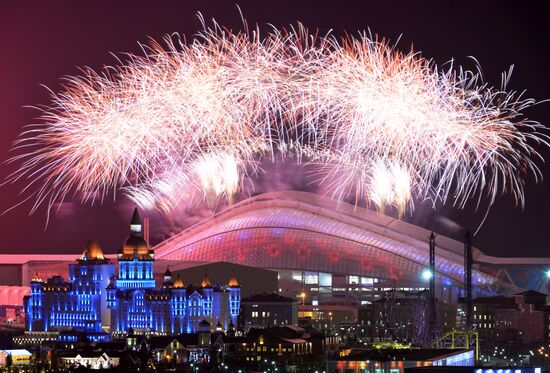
(94, 300)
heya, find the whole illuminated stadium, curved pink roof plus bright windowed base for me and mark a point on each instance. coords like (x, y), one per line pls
(337, 251)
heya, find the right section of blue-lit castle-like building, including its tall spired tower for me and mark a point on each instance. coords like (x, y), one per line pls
(136, 303)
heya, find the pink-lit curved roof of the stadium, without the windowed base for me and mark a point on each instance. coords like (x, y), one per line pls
(304, 231)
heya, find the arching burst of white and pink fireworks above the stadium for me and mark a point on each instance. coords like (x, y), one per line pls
(191, 120)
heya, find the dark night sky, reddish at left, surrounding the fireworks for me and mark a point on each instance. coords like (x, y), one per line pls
(43, 41)
